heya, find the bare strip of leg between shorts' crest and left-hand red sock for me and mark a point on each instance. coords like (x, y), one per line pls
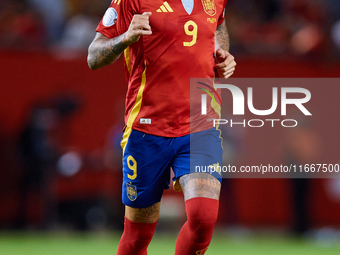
(143, 215)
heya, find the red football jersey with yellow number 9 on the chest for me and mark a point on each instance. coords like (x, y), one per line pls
(160, 65)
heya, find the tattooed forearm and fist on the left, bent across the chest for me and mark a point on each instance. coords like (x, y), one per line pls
(104, 51)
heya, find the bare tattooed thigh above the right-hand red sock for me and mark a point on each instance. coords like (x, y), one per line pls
(200, 185)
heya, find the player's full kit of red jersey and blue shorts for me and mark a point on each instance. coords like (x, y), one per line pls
(159, 67)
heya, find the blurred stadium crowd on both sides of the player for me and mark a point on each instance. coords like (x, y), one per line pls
(270, 27)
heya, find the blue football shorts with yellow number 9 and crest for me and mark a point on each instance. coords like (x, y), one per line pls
(147, 160)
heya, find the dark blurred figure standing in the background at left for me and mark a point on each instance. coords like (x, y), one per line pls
(40, 147)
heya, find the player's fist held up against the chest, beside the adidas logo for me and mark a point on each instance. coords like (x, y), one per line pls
(139, 26)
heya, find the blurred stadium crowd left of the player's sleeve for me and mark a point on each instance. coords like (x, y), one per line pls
(42, 24)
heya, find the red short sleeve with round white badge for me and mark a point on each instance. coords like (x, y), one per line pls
(108, 25)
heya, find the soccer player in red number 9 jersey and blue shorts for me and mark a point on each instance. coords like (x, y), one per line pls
(165, 43)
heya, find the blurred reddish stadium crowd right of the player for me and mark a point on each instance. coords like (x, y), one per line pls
(293, 27)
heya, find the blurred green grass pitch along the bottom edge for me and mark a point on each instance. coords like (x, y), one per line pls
(162, 244)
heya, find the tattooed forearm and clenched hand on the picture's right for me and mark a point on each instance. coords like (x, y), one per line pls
(225, 62)
